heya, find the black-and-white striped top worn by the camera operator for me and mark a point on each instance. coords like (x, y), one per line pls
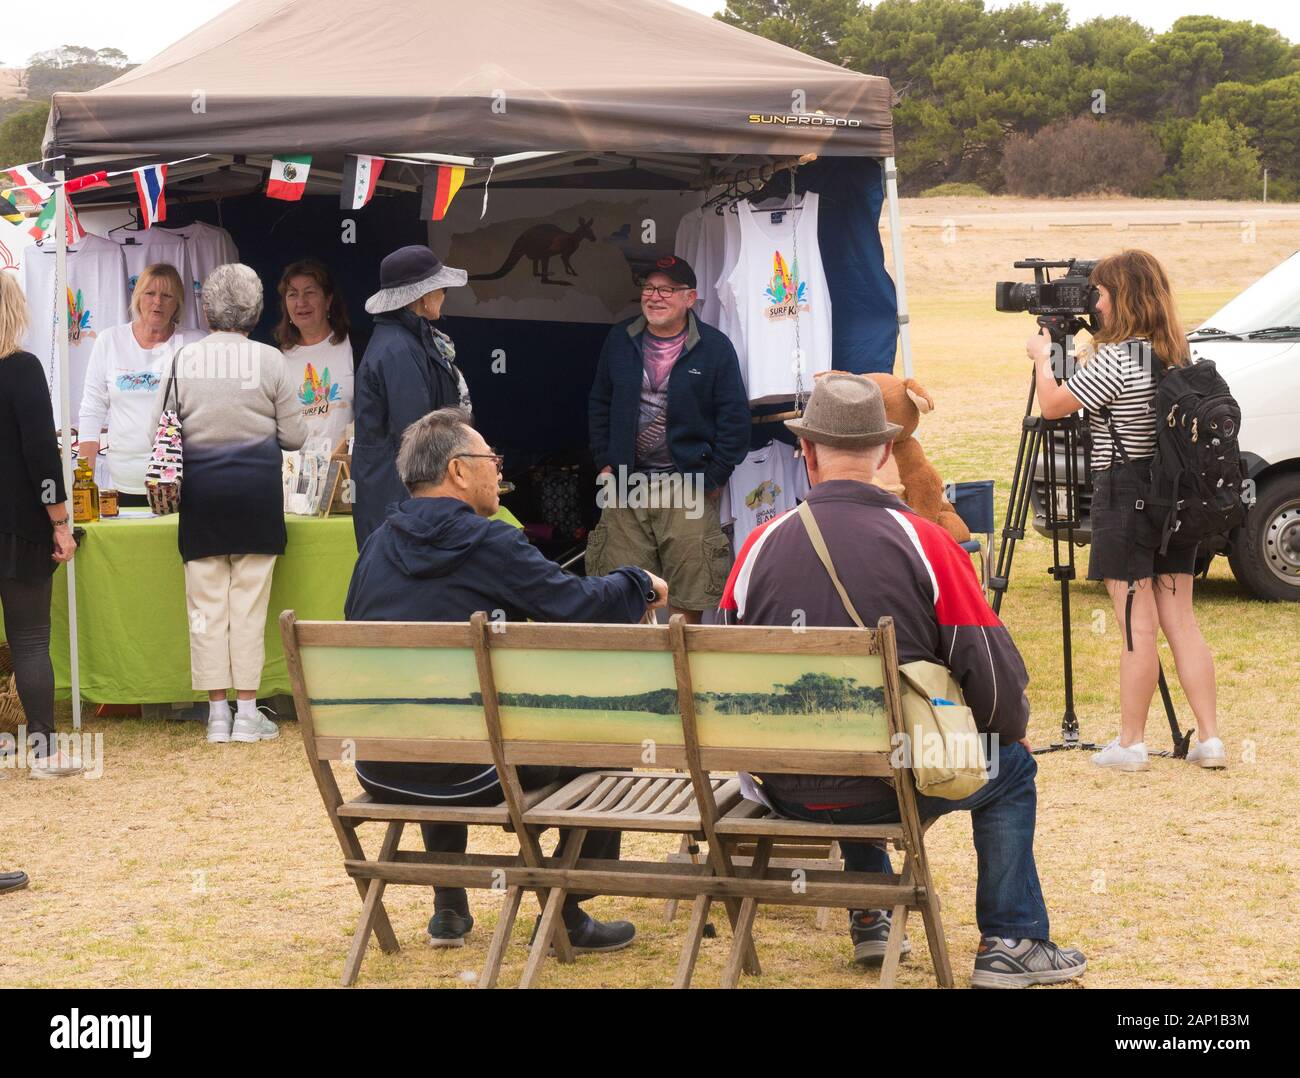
(1120, 378)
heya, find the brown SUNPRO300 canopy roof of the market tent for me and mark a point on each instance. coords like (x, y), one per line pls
(489, 79)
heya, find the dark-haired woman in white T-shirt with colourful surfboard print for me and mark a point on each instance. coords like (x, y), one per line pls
(314, 336)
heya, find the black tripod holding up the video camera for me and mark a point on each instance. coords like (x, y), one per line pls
(1056, 443)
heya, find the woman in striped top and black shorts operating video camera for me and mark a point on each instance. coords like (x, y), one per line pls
(1137, 328)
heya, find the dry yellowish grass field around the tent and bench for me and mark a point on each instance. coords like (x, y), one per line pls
(197, 865)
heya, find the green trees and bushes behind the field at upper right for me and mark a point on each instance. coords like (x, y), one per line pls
(1021, 101)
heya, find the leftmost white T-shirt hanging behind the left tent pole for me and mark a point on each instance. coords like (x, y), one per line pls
(97, 287)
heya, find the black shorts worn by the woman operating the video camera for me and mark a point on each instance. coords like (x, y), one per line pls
(1115, 553)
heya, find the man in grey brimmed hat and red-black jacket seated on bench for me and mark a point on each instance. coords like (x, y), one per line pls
(894, 564)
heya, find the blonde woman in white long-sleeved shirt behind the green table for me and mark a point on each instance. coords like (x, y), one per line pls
(124, 380)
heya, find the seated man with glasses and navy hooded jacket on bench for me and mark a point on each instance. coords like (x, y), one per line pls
(439, 559)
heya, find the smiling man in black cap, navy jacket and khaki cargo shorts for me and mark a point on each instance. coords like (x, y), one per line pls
(669, 423)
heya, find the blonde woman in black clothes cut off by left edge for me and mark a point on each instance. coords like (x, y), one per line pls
(36, 531)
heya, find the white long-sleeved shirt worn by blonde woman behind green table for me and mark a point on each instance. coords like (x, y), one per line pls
(123, 384)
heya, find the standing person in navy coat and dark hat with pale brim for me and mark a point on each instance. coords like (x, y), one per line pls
(409, 371)
